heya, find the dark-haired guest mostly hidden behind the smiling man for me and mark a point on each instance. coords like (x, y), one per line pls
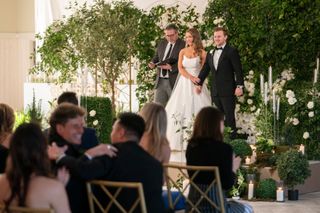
(89, 138)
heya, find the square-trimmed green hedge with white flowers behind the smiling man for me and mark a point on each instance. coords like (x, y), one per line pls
(99, 116)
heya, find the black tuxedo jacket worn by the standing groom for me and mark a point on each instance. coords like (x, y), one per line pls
(228, 74)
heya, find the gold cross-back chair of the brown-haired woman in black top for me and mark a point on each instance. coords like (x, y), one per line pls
(181, 172)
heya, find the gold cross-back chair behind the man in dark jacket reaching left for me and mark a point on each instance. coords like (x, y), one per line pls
(111, 190)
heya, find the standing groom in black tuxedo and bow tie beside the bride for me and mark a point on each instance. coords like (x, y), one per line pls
(227, 83)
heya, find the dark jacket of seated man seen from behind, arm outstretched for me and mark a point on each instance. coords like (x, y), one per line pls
(132, 164)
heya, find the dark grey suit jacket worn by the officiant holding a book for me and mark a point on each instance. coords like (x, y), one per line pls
(180, 44)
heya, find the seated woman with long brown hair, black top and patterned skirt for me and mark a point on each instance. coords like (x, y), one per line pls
(206, 148)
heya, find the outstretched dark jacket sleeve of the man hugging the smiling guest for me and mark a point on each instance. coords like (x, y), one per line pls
(85, 168)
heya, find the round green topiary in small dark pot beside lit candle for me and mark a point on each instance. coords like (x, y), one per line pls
(293, 169)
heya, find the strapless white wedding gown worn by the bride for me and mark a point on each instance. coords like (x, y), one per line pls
(182, 107)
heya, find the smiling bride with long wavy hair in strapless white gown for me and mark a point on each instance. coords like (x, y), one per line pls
(184, 102)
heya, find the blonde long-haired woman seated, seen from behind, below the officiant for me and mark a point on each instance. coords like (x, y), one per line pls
(154, 139)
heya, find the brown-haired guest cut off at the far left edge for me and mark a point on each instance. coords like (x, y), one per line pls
(6, 126)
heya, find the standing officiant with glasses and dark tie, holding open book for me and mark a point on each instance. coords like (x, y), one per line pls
(166, 61)
